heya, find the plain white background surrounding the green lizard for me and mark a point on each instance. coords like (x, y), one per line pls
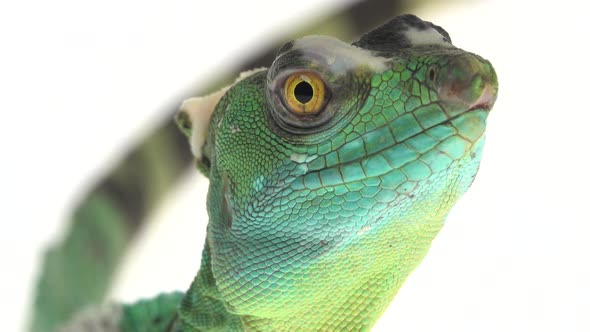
(79, 81)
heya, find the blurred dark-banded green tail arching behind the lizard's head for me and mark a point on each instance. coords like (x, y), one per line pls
(77, 270)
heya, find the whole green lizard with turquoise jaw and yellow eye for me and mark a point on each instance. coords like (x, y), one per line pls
(330, 173)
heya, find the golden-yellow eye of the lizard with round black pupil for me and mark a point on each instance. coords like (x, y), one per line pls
(304, 93)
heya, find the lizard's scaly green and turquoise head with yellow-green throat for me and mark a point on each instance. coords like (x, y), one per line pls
(333, 170)
